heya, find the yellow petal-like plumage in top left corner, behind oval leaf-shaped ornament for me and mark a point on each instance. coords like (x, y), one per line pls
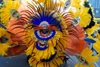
(5, 11)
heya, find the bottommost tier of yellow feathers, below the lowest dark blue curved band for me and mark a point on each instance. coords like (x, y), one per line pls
(55, 62)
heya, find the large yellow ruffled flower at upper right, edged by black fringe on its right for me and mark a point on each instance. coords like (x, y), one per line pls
(85, 18)
